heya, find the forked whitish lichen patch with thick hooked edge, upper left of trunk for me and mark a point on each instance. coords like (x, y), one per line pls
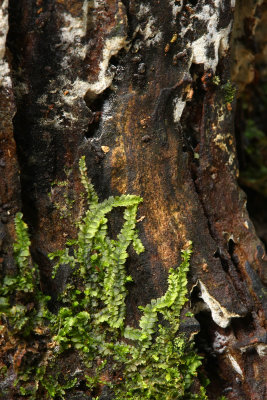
(72, 33)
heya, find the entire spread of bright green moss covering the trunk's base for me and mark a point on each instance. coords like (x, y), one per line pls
(153, 361)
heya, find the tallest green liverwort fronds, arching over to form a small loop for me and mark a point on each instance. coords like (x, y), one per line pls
(99, 261)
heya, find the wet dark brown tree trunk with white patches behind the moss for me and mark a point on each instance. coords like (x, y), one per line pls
(143, 90)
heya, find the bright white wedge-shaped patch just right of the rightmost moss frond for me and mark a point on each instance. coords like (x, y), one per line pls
(219, 313)
